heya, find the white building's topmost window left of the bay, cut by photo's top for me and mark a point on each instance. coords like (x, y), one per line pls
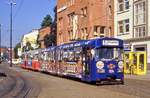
(123, 5)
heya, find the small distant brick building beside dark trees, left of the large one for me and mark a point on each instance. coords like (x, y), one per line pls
(42, 33)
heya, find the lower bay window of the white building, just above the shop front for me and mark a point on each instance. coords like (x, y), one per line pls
(140, 31)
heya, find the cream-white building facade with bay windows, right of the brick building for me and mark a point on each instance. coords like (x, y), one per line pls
(131, 23)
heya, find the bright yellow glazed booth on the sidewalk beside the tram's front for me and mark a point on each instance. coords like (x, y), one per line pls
(135, 63)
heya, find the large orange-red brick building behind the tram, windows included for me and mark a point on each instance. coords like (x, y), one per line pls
(84, 19)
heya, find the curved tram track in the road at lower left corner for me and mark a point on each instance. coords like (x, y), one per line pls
(18, 86)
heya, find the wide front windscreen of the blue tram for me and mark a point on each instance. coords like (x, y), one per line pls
(109, 53)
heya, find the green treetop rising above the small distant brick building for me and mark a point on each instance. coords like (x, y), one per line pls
(47, 21)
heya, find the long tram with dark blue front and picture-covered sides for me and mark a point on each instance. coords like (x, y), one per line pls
(93, 60)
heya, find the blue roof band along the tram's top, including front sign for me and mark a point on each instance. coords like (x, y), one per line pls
(98, 42)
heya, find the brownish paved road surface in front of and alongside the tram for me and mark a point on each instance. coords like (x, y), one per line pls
(46, 86)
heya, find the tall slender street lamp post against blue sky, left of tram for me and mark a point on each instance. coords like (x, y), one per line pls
(11, 31)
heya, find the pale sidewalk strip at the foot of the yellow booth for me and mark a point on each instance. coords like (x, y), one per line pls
(139, 77)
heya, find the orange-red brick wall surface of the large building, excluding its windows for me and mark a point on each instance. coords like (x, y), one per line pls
(97, 14)
